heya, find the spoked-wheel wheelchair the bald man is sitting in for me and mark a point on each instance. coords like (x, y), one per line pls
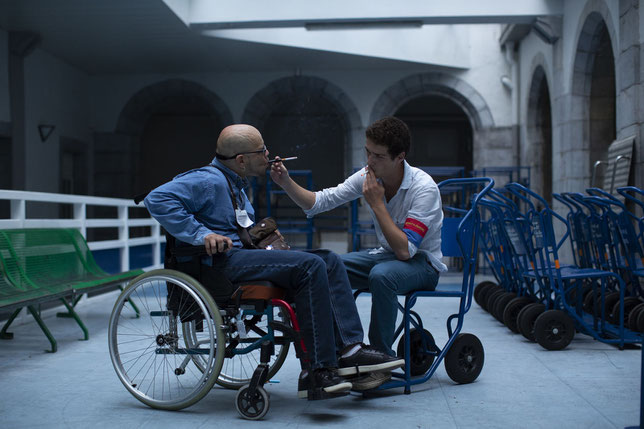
(170, 342)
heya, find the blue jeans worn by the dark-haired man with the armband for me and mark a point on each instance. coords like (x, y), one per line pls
(387, 277)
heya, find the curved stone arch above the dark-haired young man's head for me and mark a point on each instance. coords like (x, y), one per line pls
(435, 83)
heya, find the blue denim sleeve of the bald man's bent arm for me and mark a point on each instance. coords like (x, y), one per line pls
(174, 204)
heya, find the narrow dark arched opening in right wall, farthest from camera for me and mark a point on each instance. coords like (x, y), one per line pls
(539, 153)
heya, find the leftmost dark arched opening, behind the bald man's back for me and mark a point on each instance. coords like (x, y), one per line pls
(164, 128)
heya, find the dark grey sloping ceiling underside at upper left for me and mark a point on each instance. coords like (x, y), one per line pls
(145, 36)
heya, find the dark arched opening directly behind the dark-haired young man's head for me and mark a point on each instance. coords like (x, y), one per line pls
(441, 132)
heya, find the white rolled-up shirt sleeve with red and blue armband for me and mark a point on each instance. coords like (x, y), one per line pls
(425, 214)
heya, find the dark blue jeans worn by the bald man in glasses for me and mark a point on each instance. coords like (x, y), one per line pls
(324, 303)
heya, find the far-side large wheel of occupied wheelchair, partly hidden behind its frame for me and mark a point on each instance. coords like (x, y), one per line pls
(237, 370)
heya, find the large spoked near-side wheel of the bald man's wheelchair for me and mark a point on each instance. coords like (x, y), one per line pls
(149, 352)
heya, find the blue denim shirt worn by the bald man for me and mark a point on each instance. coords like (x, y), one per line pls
(198, 202)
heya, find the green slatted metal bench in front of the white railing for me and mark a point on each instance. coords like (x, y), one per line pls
(43, 265)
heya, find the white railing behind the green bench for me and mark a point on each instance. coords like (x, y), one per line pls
(48, 211)
